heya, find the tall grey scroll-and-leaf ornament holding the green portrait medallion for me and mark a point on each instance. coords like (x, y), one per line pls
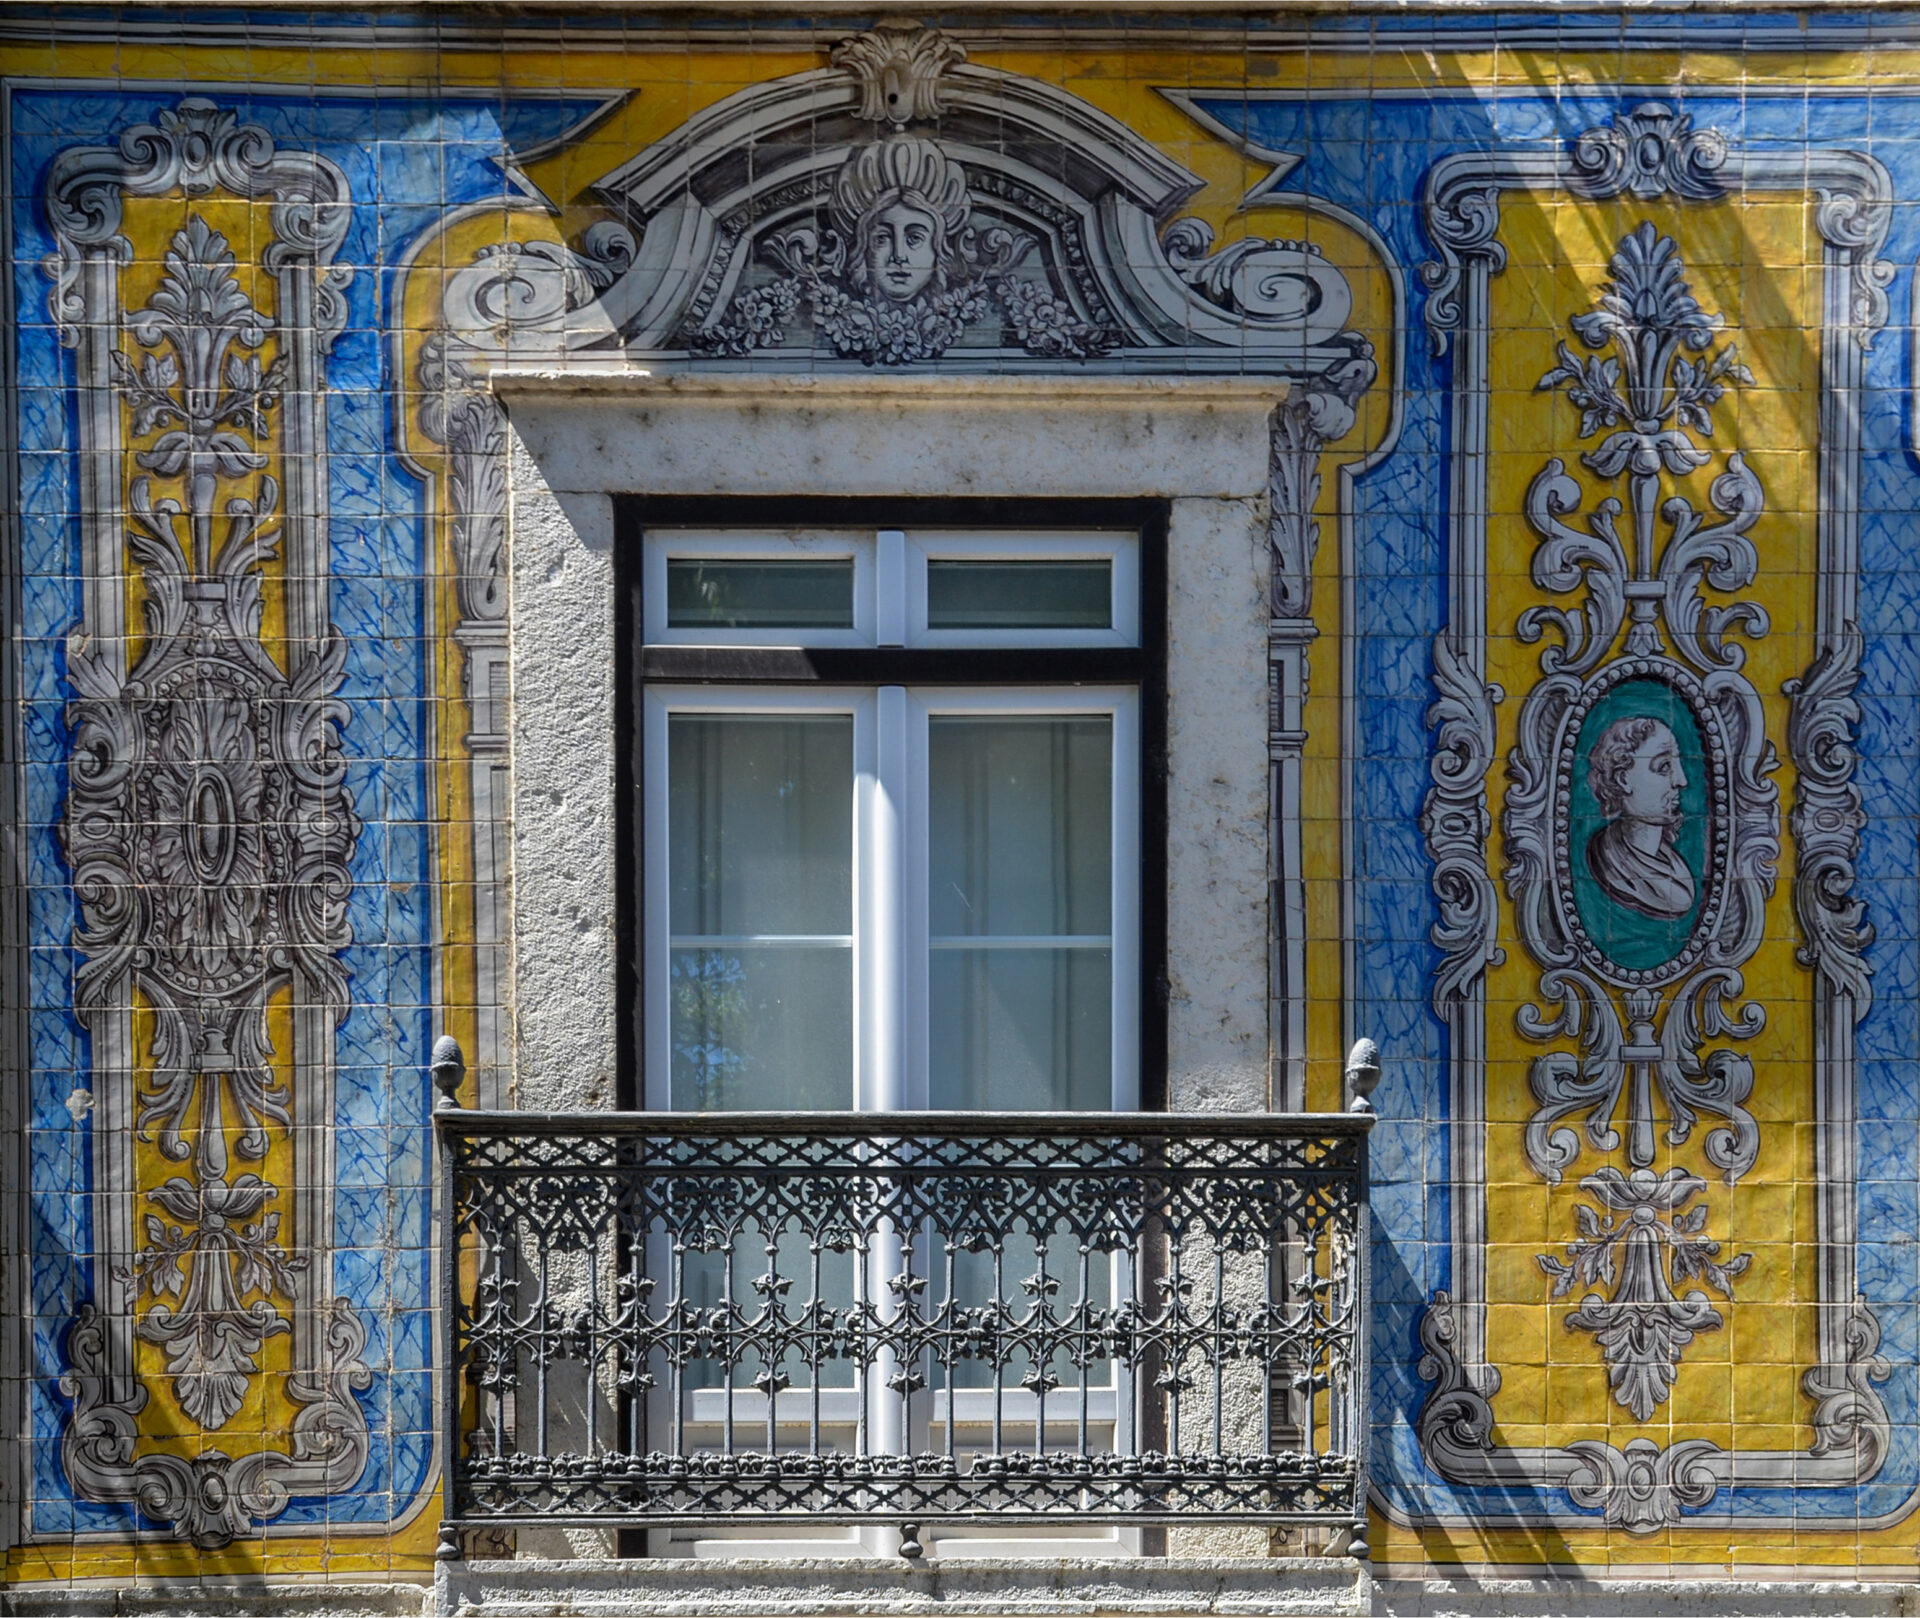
(1643, 830)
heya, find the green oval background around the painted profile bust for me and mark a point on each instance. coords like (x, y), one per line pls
(1629, 940)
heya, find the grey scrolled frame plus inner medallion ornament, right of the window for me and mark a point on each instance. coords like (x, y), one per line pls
(1643, 826)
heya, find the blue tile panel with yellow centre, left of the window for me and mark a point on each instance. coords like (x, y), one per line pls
(229, 811)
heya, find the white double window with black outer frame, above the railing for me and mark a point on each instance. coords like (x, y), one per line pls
(894, 811)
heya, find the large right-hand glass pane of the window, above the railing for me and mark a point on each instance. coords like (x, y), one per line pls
(1020, 909)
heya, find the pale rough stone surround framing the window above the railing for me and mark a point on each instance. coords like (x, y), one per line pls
(581, 437)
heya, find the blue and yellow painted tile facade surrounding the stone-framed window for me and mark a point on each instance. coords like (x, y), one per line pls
(1598, 448)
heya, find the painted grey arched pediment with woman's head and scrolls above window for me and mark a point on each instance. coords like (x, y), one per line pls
(907, 208)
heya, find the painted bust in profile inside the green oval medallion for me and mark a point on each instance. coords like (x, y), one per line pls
(1637, 776)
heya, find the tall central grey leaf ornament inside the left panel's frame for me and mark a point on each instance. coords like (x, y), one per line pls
(208, 826)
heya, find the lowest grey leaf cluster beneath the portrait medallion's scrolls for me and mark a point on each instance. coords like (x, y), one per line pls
(1643, 1325)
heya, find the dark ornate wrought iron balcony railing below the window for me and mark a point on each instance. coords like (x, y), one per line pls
(661, 1321)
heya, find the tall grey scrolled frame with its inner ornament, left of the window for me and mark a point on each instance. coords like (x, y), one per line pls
(208, 824)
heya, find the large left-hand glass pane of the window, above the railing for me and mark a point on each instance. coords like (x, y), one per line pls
(761, 911)
